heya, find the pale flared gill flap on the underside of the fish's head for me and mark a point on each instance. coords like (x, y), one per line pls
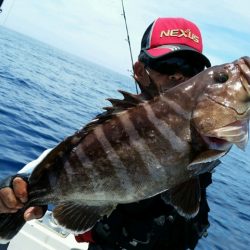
(222, 138)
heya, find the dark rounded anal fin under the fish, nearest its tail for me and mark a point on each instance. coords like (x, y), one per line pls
(78, 217)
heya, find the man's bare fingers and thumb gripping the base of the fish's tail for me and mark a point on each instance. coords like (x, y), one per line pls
(13, 199)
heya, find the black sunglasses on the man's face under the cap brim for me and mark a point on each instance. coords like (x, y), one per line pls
(173, 65)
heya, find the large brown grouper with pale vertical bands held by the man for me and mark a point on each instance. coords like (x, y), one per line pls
(141, 147)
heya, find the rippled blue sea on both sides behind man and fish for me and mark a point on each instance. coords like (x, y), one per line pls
(47, 94)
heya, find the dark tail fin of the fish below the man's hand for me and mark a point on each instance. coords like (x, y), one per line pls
(10, 225)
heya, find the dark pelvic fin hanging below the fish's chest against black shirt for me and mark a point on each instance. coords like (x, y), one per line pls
(185, 198)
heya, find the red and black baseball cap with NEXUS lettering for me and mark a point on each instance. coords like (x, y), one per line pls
(167, 37)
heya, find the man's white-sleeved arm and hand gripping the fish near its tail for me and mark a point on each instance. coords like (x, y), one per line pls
(14, 192)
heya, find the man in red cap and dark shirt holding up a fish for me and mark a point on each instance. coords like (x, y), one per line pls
(171, 52)
